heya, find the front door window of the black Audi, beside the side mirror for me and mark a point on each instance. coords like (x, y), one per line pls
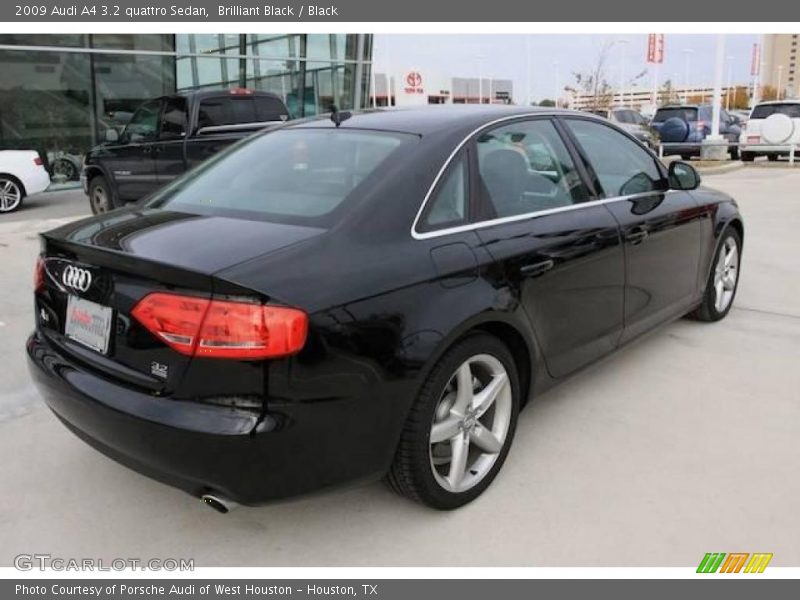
(622, 166)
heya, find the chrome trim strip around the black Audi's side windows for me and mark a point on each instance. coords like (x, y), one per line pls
(502, 220)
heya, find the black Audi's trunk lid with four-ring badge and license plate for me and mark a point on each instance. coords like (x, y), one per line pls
(97, 270)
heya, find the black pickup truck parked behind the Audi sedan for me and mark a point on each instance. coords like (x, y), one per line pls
(168, 136)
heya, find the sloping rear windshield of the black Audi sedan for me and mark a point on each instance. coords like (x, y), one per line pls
(296, 176)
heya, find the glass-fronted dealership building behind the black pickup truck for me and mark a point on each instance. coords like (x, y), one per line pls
(60, 93)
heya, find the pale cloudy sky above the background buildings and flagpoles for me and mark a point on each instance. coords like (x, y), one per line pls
(553, 58)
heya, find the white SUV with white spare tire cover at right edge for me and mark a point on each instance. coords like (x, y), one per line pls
(772, 128)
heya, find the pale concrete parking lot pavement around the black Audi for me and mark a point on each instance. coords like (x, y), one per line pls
(686, 442)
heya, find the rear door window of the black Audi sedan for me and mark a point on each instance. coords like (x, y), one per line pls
(525, 167)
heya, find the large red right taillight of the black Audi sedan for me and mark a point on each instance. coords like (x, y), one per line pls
(222, 329)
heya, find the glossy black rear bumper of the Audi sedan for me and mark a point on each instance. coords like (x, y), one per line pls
(244, 456)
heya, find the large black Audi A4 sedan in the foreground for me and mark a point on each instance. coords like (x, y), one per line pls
(343, 299)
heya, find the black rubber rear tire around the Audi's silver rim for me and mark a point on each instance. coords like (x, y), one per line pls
(412, 472)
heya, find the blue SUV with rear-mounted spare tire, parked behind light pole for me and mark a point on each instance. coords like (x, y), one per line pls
(685, 127)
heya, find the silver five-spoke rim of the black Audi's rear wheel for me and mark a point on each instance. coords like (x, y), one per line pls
(471, 423)
